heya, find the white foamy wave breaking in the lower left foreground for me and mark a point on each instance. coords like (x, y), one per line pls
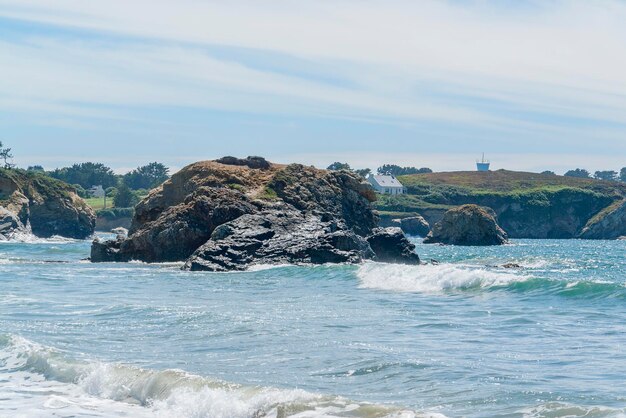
(37, 381)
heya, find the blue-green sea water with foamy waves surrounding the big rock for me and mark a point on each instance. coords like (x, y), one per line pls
(462, 338)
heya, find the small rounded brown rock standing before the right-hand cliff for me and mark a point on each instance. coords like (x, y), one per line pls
(467, 225)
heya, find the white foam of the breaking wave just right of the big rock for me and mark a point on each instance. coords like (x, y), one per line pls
(433, 279)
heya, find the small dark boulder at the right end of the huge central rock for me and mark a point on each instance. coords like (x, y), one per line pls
(391, 246)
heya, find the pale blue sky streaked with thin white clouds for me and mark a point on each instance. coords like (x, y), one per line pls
(536, 85)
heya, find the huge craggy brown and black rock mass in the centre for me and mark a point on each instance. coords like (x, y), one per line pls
(231, 213)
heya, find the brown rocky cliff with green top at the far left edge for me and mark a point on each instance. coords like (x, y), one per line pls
(44, 205)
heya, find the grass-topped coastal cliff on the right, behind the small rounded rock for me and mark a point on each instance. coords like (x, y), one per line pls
(527, 205)
